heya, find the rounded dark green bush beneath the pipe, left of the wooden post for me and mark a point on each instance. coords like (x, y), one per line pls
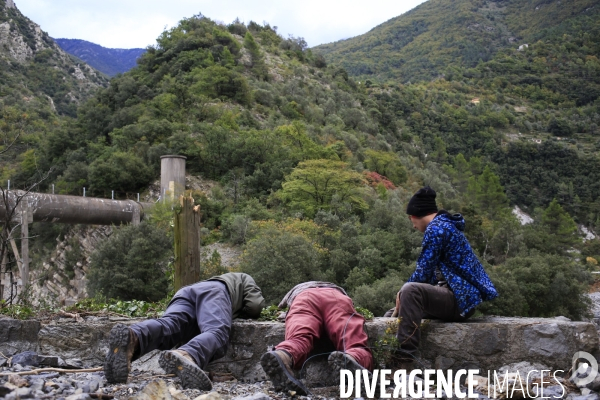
(131, 264)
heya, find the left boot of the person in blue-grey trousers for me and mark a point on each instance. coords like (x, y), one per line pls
(122, 345)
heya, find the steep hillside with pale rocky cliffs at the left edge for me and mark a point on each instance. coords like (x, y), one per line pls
(40, 87)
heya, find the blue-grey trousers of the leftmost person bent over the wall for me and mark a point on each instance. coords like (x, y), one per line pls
(199, 315)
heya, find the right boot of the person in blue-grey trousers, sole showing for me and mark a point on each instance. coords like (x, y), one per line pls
(180, 363)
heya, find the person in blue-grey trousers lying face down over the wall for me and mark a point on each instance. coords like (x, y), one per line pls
(200, 316)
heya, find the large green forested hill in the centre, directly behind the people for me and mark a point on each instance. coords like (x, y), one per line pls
(312, 169)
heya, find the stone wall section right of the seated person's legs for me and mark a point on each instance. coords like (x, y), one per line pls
(491, 342)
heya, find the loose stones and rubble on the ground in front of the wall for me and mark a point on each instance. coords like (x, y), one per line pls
(148, 382)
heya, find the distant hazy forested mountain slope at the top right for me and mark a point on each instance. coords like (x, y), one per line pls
(424, 42)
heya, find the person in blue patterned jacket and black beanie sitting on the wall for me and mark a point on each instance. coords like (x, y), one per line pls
(449, 281)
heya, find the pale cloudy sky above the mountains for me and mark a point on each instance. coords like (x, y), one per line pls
(137, 23)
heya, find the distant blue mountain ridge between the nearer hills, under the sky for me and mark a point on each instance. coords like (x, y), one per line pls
(105, 60)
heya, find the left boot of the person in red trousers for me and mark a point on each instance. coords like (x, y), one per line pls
(278, 365)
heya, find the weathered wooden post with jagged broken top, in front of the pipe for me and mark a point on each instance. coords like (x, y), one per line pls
(187, 243)
